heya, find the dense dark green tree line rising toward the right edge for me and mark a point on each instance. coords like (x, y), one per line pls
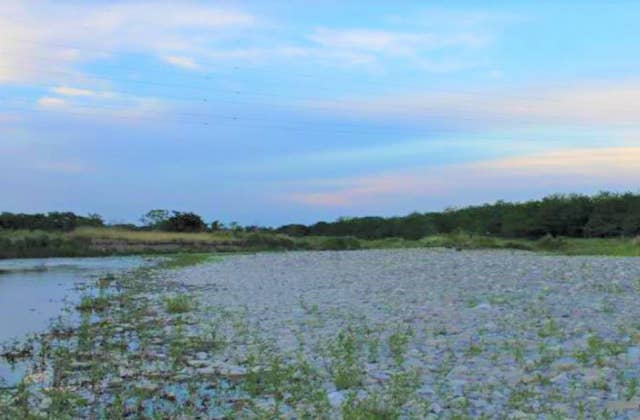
(580, 216)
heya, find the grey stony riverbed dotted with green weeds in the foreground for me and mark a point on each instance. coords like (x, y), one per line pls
(406, 333)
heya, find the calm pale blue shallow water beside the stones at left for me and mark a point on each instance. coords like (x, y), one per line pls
(33, 292)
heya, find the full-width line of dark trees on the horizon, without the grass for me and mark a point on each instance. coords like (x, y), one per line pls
(581, 216)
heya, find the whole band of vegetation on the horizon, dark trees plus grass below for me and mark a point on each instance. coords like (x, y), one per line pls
(571, 224)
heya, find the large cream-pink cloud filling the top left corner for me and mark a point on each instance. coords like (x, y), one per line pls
(48, 37)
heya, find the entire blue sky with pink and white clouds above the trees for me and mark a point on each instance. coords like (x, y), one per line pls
(269, 112)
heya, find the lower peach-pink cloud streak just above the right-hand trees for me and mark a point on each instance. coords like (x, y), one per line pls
(563, 169)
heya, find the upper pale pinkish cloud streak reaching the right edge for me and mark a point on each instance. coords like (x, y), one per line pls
(589, 103)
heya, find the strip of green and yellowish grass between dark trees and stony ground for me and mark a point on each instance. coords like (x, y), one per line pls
(110, 241)
